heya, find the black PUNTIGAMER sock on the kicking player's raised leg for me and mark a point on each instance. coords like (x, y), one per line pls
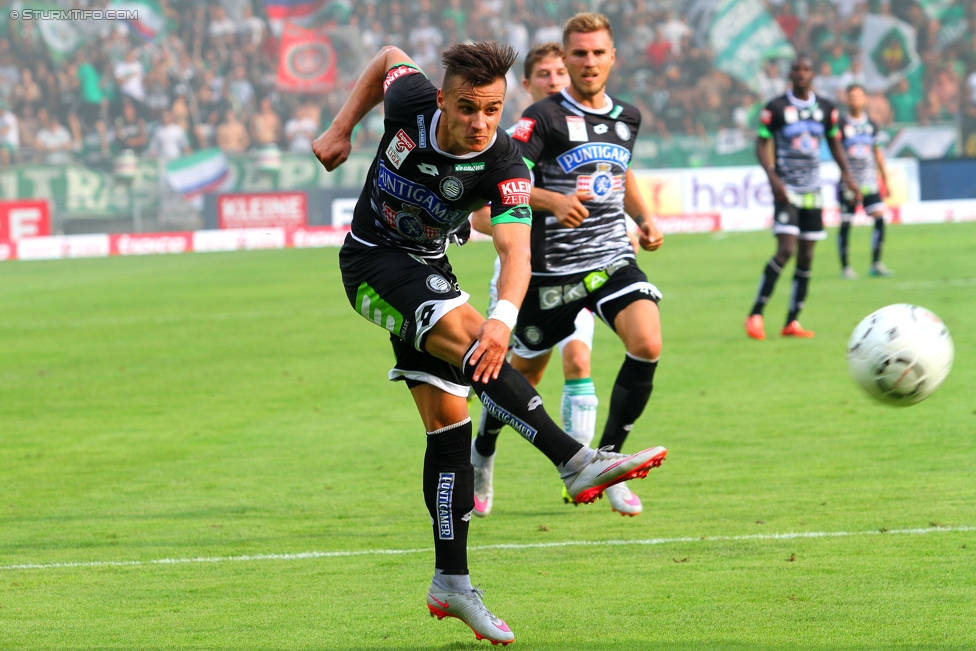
(512, 400)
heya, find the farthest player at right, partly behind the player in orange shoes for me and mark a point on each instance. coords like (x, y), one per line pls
(859, 138)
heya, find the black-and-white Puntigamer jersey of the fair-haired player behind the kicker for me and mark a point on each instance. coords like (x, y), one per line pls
(571, 148)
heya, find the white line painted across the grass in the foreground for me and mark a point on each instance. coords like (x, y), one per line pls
(503, 546)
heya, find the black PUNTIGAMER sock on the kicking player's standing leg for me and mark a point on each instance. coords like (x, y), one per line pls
(449, 494)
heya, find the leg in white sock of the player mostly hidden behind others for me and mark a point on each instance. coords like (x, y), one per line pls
(579, 401)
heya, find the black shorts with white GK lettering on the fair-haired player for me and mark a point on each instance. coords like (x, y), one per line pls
(548, 313)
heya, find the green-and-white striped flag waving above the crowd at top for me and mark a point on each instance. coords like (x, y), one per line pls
(742, 35)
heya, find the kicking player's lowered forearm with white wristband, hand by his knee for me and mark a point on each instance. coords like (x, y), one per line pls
(512, 243)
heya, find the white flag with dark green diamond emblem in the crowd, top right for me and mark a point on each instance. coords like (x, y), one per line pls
(887, 51)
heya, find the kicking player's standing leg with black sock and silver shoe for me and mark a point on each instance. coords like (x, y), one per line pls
(448, 481)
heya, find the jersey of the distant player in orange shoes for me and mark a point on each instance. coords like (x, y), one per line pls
(797, 127)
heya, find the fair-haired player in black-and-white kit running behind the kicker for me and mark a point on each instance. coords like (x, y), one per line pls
(578, 143)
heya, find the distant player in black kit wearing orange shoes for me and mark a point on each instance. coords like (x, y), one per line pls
(796, 123)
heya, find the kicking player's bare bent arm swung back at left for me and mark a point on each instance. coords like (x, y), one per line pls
(333, 146)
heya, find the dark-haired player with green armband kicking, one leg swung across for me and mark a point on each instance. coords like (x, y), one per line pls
(439, 159)
